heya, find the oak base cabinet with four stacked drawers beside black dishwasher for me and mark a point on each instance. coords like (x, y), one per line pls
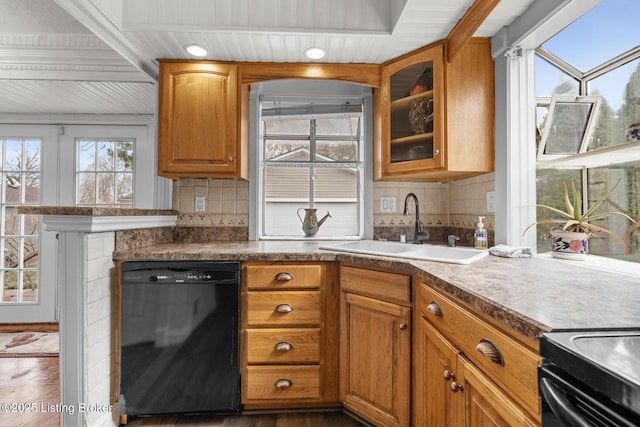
(289, 325)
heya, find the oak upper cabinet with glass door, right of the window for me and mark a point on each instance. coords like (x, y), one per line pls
(434, 119)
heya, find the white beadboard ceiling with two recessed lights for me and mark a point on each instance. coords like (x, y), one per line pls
(100, 56)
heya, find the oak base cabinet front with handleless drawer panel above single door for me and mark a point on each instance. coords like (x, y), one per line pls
(375, 342)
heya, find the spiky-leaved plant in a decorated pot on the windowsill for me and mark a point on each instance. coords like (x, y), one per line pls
(570, 240)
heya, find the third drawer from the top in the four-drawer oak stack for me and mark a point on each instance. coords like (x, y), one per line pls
(285, 345)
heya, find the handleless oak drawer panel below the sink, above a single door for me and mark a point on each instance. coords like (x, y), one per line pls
(389, 287)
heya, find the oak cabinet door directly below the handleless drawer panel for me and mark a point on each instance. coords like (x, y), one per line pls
(375, 359)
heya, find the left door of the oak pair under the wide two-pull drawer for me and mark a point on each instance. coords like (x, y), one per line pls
(435, 369)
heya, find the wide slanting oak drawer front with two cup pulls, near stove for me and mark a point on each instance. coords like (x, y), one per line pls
(507, 362)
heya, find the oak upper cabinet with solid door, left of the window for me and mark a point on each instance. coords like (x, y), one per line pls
(199, 134)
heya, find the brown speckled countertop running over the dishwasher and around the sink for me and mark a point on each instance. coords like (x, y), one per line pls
(530, 295)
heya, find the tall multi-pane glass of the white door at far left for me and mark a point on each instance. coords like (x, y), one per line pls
(19, 234)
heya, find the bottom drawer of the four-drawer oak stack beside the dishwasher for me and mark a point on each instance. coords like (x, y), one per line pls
(283, 382)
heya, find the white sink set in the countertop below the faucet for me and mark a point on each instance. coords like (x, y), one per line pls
(457, 255)
